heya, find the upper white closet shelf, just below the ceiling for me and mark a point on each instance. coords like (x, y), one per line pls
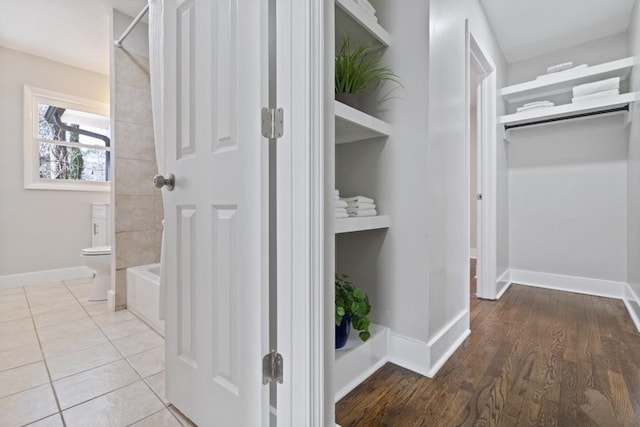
(564, 82)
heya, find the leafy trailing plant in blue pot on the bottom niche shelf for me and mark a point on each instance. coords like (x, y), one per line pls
(352, 308)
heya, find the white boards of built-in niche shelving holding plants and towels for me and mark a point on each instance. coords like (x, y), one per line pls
(357, 360)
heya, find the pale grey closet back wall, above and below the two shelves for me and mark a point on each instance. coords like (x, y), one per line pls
(567, 183)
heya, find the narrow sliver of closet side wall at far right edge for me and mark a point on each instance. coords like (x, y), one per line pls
(633, 171)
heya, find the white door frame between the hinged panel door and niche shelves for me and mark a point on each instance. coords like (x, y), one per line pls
(300, 176)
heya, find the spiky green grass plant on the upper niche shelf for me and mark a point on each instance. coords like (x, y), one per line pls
(357, 69)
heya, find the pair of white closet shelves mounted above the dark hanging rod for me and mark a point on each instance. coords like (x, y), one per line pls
(563, 83)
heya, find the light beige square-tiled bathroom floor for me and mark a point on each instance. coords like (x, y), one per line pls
(67, 361)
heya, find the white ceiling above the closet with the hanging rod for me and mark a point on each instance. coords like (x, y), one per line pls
(528, 28)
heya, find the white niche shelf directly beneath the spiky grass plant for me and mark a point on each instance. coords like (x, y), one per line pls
(353, 125)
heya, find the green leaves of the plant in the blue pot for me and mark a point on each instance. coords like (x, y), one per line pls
(351, 301)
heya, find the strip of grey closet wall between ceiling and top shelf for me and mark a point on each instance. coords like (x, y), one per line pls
(590, 53)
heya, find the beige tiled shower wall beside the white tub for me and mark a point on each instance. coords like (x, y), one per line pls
(137, 203)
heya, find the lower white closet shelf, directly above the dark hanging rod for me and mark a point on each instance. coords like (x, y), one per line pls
(568, 109)
